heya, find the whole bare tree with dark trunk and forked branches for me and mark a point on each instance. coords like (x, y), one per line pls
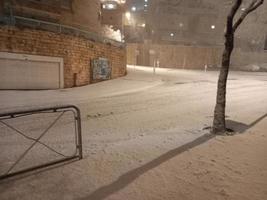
(219, 126)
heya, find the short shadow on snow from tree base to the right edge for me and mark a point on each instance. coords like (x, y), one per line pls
(240, 127)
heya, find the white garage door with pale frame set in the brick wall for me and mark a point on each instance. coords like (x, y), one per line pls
(21, 71)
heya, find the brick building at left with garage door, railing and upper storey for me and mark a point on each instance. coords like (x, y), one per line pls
(49, 44)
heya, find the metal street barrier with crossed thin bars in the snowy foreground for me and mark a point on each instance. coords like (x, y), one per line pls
(39, 138)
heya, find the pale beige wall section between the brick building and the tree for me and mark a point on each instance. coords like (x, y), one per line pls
(173, 56)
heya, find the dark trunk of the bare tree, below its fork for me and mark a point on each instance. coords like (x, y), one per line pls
(219, 126)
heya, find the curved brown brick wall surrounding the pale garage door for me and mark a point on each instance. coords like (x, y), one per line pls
(77, 52)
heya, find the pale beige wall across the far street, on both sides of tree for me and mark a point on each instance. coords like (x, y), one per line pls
(190, 57)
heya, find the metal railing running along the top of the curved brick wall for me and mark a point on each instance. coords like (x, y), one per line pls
(57, 28)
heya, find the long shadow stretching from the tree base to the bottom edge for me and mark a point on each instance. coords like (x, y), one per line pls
(130, 176)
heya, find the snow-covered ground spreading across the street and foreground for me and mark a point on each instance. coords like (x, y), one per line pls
(143, 138)
